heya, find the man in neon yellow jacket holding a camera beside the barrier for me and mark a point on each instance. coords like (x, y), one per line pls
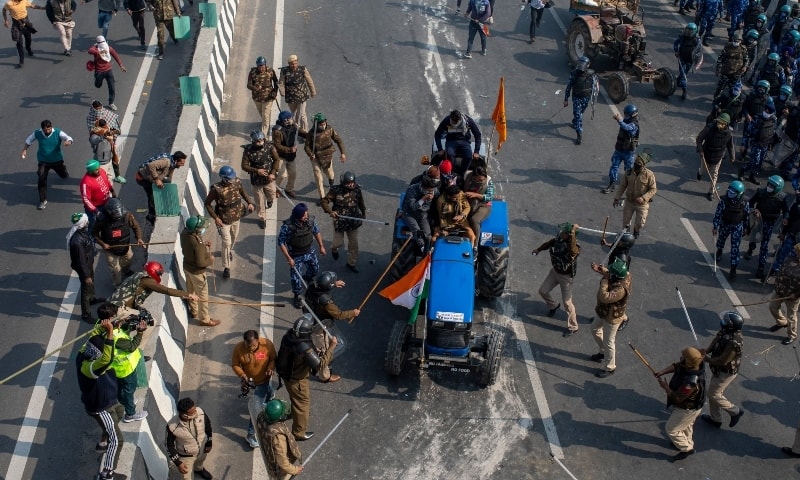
(126, 357)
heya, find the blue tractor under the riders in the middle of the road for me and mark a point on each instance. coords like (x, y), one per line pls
(441, 325)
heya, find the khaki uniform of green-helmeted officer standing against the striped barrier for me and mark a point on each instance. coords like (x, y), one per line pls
(196, 258)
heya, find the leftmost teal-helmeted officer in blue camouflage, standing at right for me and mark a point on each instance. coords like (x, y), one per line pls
(731, 218)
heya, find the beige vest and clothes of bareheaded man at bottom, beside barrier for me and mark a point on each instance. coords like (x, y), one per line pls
(186, 441)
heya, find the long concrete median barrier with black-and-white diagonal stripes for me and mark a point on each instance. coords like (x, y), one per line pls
(143, 455)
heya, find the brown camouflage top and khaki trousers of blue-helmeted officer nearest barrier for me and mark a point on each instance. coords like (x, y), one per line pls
(224, 202)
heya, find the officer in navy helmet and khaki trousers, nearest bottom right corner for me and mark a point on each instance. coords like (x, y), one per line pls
(724, 355)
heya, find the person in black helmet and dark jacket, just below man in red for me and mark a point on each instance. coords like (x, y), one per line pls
(112, 231)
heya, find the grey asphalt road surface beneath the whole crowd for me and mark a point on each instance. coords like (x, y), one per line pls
(386, 73)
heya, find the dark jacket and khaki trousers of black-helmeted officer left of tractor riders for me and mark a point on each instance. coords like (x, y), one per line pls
(350, 203)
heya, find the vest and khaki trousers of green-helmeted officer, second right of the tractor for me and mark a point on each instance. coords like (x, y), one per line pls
(612, 299)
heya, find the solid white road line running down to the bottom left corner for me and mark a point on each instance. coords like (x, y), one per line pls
(30, 423)
